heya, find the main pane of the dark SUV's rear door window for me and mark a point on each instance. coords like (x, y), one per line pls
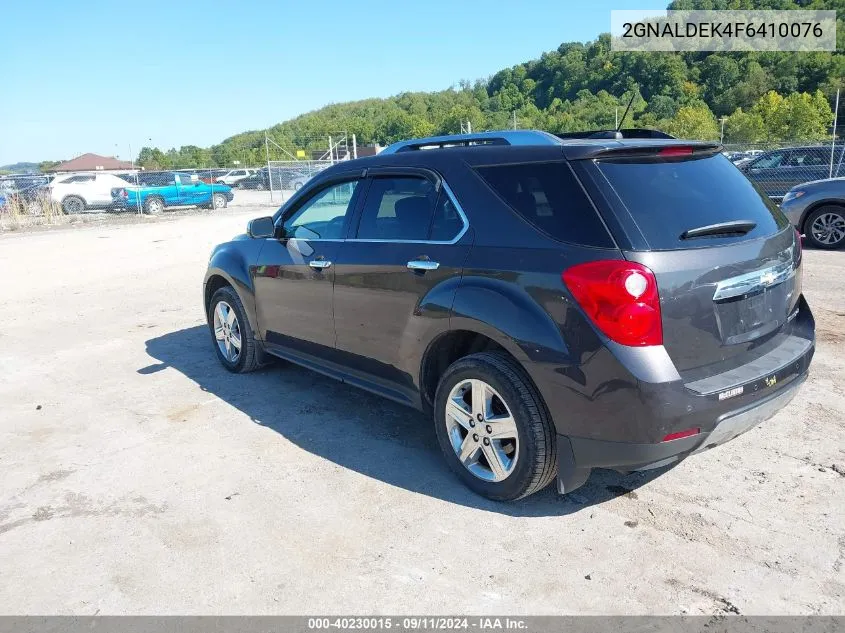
(398, 209)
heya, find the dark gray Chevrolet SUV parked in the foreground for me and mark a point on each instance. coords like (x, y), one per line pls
(553, 305)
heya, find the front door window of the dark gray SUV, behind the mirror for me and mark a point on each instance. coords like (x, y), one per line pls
(323, 216)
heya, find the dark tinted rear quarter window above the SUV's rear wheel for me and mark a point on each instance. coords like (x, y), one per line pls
(549, 197)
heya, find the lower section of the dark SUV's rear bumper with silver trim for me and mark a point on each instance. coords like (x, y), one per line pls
(578, 456)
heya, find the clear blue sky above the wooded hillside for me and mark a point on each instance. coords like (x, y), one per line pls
(99, 75)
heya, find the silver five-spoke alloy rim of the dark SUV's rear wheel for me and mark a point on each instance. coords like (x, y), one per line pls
(482, 430)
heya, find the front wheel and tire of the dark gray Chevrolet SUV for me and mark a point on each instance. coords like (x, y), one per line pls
(231, 334)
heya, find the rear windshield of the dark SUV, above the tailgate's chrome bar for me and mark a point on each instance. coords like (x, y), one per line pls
(671, 196)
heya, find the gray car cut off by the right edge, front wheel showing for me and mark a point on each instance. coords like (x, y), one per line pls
(817, 209)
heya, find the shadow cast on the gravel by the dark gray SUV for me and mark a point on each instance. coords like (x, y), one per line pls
(374, 436)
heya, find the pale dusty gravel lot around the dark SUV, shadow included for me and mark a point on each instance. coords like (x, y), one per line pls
(140, 477)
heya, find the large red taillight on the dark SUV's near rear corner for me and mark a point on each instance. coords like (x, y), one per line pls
(621, 298)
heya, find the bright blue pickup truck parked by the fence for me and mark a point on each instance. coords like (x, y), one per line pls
(155, 191)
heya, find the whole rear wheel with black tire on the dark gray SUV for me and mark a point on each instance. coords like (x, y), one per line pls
(493, 427)
